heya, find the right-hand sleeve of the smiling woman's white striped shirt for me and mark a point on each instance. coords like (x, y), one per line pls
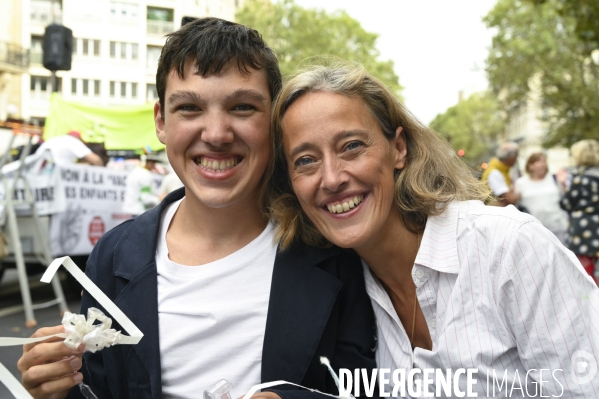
(551, 307)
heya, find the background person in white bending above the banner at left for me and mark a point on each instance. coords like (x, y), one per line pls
(69, 149)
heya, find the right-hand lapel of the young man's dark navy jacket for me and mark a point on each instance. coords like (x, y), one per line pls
(301, 300)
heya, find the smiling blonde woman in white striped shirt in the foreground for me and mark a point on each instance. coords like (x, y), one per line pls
(455, 284)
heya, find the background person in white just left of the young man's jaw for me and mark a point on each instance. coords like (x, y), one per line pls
(140, 194)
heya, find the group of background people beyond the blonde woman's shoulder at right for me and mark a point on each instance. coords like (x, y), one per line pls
(566, 203)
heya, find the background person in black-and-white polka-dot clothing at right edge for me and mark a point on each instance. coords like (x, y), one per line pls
(581, 201)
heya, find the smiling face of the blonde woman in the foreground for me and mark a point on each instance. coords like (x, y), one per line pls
(342, 167)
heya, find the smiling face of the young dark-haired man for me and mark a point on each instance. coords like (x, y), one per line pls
(216, 132)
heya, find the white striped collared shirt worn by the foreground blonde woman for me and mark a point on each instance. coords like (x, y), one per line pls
(499, 293)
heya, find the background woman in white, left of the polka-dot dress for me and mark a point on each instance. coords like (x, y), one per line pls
(539, 194)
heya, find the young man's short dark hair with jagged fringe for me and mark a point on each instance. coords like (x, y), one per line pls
(212, 43)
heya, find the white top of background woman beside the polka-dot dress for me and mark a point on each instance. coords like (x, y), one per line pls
(541, 199)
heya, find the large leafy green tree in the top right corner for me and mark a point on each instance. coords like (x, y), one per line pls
(538, 44)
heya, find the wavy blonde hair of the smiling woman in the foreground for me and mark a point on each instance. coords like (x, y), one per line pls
(433, 176)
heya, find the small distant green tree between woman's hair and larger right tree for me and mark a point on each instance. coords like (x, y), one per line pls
(472, 125)
